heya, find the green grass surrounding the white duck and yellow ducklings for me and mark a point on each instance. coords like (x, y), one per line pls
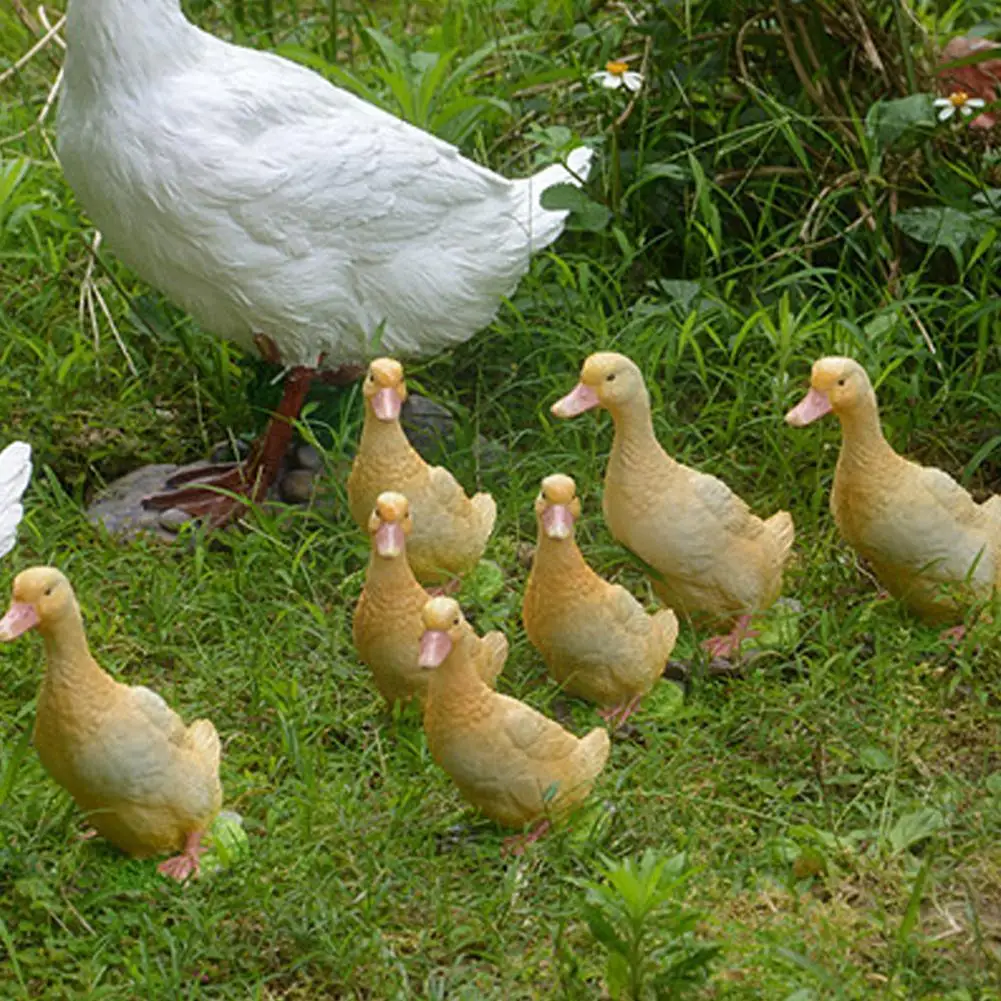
(840, 806)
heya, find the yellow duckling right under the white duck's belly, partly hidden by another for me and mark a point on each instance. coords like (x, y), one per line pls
(451, 530)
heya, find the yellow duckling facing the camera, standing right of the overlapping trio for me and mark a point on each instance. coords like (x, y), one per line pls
(595, 637)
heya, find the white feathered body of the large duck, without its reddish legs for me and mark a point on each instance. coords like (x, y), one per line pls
(265, 201)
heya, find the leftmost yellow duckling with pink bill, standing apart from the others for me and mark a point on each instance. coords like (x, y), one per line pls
(146, 781)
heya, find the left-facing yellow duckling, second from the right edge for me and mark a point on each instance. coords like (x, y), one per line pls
(713, 554)
